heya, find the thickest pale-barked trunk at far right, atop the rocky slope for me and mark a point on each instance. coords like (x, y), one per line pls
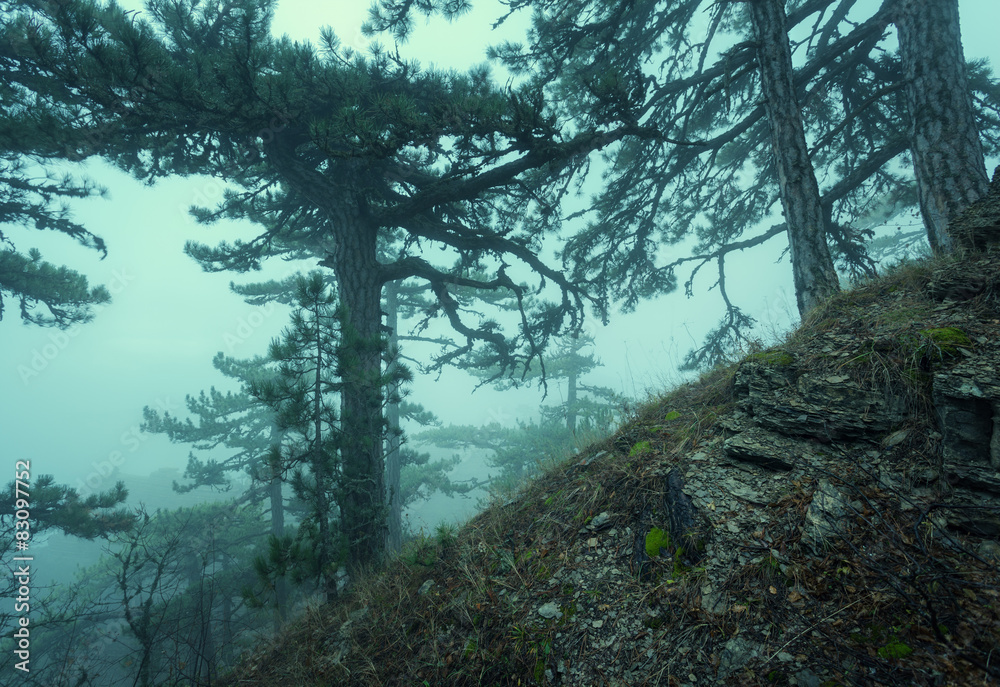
(944, 141)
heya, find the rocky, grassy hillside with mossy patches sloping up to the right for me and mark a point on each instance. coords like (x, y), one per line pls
(799, 518)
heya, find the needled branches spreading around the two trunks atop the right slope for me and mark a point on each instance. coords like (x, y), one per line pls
(711, 175)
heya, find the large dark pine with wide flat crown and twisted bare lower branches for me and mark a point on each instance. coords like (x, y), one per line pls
(338, 149)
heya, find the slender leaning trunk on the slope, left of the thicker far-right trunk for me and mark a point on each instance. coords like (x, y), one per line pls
(812, 268)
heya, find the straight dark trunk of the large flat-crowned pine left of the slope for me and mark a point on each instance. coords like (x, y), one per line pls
(359, 279)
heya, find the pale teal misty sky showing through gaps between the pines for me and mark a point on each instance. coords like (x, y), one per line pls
(71, 400)
